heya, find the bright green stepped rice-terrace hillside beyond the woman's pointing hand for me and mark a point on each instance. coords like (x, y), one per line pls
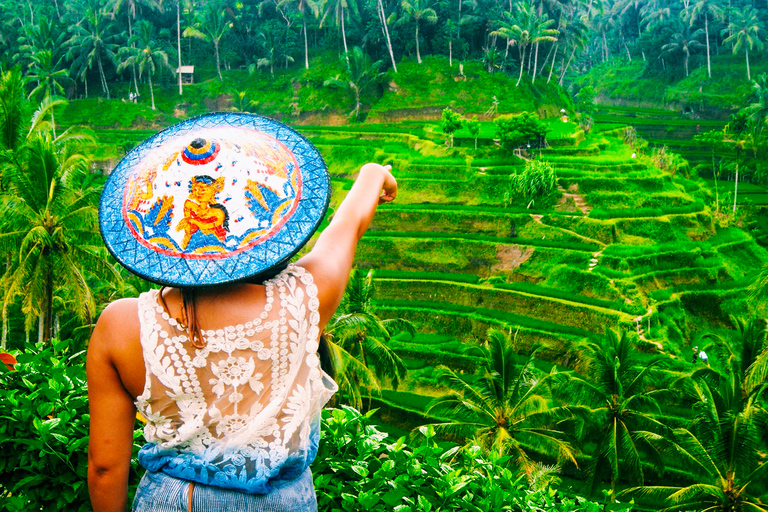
(623, 245)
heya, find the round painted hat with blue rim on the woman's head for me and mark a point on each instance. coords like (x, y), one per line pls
(219, 198)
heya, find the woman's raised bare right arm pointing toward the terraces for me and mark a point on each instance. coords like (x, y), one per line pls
(330, 260)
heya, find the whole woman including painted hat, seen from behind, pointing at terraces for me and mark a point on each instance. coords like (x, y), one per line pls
(222, 362)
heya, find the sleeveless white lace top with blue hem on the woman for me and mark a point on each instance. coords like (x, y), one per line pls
(243, 411)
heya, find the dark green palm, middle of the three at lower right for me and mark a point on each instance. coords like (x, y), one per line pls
(620, 411)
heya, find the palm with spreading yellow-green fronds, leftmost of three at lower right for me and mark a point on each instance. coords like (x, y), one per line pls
(506, 409)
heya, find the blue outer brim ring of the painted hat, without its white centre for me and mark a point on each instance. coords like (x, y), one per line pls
(172, 268)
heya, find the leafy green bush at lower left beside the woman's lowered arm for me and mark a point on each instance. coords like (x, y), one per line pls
(44, 431)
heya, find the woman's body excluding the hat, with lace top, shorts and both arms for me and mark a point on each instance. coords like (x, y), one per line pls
(223, 432)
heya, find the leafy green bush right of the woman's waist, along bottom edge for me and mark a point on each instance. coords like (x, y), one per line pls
(359, 468)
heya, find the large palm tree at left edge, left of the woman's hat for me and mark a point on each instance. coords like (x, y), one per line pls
(49, 225)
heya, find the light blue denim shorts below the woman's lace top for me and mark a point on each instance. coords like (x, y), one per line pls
(158, 492)
